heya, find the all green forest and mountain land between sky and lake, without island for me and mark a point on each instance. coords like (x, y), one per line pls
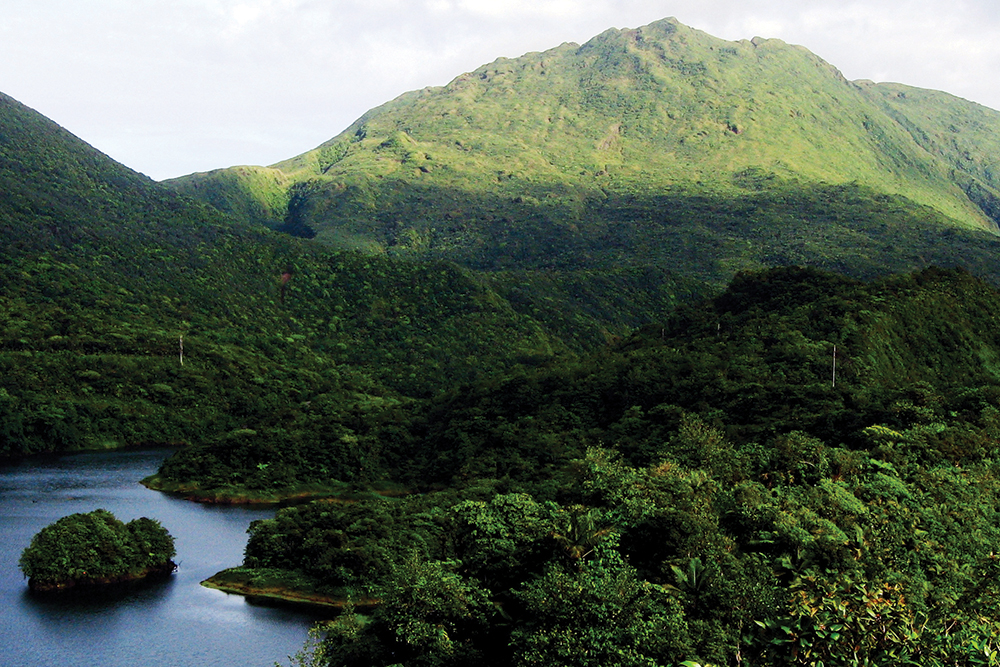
(624, 353)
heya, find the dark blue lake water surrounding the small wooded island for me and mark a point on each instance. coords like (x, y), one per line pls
(171, 623)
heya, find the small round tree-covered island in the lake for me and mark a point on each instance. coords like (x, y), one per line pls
(96, 549)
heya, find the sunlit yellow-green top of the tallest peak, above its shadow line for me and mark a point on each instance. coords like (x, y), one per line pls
(658, 105)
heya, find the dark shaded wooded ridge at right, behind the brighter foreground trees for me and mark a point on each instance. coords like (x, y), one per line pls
(757, 362)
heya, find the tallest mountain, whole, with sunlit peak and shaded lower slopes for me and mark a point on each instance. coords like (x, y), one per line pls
(656, 146)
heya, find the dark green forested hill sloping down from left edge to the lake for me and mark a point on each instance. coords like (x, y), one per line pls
(130, 314)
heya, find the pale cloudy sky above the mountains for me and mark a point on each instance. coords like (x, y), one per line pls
(172, 87)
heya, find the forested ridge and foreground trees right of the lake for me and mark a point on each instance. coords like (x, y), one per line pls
(712, 490)
